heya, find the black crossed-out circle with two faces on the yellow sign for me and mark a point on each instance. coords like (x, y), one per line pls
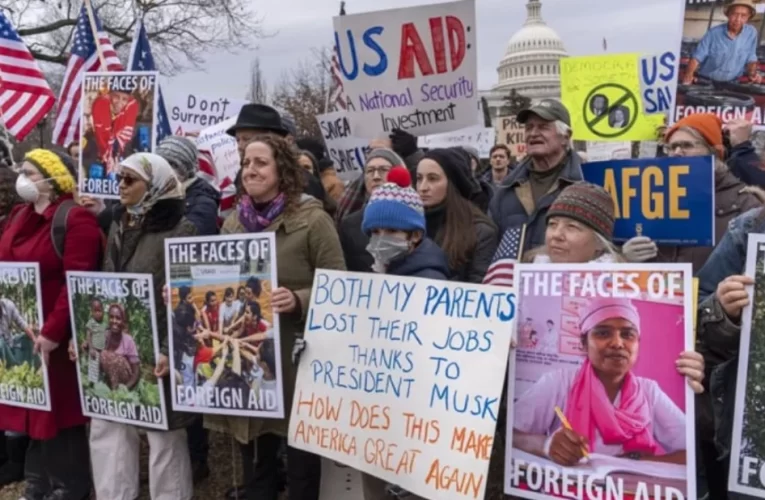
(617, 98)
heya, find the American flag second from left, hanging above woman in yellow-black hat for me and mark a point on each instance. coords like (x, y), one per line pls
(84, 57)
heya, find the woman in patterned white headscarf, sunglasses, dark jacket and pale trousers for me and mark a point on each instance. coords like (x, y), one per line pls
(151, 210)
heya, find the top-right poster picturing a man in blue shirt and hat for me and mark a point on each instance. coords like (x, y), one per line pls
(718, 74)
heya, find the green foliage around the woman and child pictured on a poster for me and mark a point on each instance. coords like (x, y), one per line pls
(138, 312)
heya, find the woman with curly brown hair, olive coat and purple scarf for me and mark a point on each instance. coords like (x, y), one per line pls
(271, 199)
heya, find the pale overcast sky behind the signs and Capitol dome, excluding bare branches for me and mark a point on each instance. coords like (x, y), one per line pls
(628, 26)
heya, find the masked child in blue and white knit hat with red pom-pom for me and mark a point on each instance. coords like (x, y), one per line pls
(395, 219)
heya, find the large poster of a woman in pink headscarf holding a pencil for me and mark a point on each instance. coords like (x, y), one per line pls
(579, 326)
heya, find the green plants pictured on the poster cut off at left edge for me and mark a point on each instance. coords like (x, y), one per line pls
(24, 296)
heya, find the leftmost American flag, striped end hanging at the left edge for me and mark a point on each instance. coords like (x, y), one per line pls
(25, 97)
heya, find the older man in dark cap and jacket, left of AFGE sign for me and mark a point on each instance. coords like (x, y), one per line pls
(550, 165)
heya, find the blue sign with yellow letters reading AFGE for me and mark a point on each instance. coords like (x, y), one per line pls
(670, 200)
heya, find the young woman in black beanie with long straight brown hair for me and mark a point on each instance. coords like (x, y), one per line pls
(466, 234)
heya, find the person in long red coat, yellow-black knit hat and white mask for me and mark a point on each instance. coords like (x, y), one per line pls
(57, 462)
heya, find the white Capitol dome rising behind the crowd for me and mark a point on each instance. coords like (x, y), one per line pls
(530, 64)
